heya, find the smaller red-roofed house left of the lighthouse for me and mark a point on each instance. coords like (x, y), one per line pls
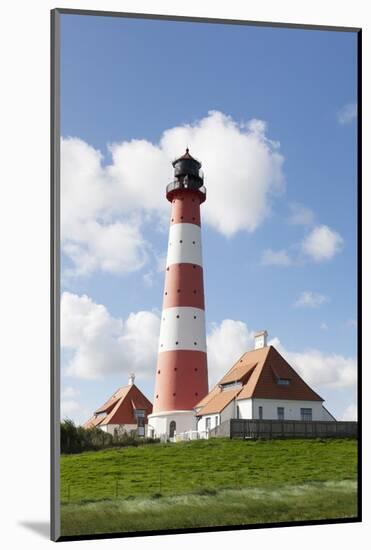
(126, 411)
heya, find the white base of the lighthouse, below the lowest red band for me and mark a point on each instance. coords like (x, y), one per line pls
(167, 424)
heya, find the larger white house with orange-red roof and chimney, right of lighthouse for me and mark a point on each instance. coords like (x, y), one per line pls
(260, 385)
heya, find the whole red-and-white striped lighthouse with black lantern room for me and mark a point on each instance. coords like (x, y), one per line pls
(181, 372)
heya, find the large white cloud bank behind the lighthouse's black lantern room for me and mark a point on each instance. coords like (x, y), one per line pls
(105, 206)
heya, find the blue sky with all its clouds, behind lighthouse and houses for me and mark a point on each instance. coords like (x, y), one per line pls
(125, 80)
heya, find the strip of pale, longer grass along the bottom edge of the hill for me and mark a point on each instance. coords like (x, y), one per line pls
(311, 501)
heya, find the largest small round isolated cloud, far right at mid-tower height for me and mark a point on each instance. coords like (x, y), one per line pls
(322, 243)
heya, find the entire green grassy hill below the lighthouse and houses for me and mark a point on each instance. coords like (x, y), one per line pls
(208, 482)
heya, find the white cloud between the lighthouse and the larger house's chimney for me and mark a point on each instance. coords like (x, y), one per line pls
(225, 344)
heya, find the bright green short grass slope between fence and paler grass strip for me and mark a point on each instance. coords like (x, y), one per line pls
(181, 468)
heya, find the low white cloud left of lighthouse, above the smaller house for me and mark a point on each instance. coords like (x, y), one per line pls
(103, 345)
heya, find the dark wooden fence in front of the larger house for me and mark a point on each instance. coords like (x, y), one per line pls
(269, 429)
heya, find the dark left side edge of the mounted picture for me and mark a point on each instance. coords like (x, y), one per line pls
(55, 527)
